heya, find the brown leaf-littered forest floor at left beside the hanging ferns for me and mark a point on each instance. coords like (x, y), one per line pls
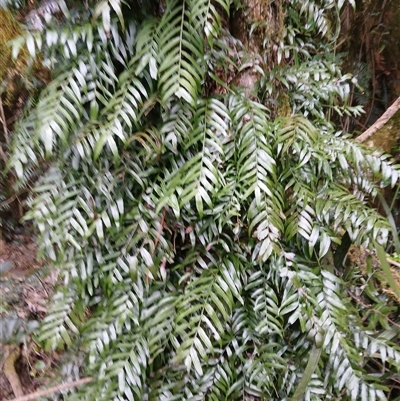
(24, 295)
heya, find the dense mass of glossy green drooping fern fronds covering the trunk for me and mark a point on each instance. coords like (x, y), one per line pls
(200, 229)
